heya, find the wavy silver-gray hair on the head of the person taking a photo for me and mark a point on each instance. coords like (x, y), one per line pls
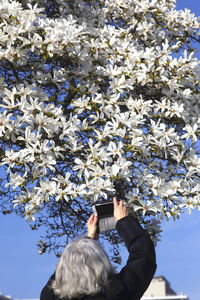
(83, 269)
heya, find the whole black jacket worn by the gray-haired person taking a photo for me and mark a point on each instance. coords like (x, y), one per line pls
(132, 281)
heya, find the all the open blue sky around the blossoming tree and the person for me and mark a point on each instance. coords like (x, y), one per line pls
(23, 272)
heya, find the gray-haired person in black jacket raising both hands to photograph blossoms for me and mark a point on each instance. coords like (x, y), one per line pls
(85, 272)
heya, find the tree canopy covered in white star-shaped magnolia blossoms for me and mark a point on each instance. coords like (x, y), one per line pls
(98, 98)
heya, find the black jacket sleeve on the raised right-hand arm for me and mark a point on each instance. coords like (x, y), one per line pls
(141, 265)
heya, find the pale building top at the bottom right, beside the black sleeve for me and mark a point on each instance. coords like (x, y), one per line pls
(160, 289)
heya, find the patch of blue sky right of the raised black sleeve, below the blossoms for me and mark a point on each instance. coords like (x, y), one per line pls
(178, 254)
